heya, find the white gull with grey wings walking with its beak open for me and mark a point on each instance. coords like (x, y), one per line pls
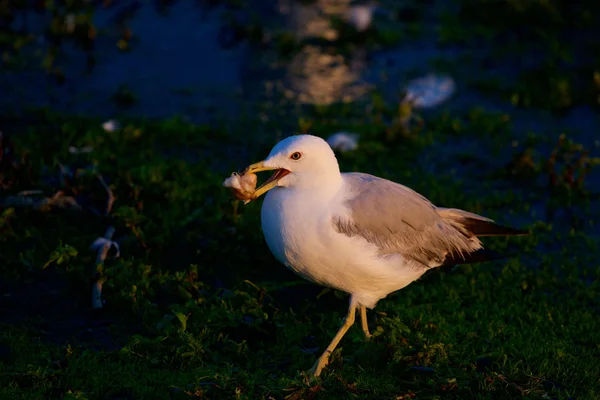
(355, 232)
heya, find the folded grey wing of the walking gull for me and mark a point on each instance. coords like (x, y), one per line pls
(400, 221)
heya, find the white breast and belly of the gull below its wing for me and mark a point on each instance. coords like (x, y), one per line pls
(299, 233)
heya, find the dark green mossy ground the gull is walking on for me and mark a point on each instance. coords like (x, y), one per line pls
(197, 307)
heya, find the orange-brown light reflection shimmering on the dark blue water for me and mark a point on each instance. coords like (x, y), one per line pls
(318, 74)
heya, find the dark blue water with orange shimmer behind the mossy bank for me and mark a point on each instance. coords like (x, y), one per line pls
(179, 65)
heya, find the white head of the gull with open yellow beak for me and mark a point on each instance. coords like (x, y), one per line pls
(301, 161)
